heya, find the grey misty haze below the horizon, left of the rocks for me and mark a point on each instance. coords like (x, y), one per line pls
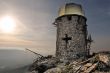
(15, 61)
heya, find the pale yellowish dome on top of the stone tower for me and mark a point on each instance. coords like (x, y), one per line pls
(71, 8)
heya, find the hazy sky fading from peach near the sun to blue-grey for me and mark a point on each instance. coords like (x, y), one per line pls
(34, 20)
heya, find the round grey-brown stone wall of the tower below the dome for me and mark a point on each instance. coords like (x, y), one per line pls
(75, 27)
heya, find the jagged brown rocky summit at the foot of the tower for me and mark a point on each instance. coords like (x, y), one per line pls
(96, 63)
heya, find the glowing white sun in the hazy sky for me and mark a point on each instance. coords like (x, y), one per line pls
(7, 24)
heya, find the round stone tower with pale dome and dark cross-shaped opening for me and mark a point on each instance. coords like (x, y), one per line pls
(71, 32)
